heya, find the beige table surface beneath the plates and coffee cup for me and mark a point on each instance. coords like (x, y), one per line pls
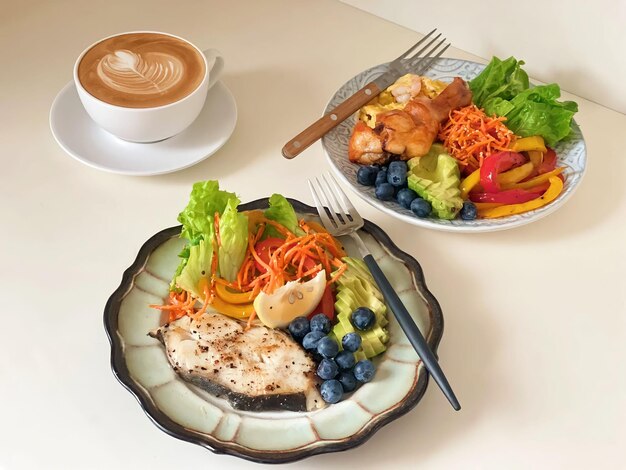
(535, 335)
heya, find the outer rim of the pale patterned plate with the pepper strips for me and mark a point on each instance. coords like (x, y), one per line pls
(426, 223)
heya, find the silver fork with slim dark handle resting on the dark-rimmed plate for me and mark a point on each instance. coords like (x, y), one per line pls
(341, 218)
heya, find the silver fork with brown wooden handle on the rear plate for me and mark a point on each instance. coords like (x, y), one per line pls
(411, 61)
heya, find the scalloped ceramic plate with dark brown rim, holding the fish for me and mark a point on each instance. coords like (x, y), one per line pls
(186, 412)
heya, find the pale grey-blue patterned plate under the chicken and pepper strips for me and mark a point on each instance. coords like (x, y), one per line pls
(571, 152)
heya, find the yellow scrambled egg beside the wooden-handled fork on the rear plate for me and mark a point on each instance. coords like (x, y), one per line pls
(397, 95)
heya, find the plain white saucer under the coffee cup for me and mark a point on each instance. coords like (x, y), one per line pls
(80, 137)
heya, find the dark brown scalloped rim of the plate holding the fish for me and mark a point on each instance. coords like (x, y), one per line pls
(167, 425)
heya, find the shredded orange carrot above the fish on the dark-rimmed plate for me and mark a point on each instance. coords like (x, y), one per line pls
(297, 258)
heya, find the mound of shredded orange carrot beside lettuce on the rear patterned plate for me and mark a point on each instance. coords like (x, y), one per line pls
(470, 136)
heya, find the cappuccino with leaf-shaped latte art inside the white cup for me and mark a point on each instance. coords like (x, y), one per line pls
(141, 70)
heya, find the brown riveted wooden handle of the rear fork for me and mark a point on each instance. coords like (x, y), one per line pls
(320, 127)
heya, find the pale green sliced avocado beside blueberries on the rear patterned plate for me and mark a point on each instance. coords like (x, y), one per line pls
(436, 178)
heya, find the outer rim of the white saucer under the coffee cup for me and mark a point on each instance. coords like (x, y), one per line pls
(108, 169)
